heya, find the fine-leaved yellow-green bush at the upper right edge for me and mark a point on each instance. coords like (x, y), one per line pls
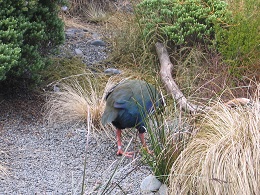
(240, 42)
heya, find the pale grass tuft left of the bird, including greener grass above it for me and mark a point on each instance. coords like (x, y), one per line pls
(73, 99)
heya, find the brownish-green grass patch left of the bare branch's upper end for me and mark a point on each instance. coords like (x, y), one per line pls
(128, 48)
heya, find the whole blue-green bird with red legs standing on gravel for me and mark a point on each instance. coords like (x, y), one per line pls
(128, 104)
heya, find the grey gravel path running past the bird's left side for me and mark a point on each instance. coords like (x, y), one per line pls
(44, 160)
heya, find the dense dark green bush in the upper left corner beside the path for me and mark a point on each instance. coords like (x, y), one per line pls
(29, 30)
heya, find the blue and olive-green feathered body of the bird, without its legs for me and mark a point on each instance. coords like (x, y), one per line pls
(129, 103)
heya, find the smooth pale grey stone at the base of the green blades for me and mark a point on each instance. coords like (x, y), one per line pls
(150, 184)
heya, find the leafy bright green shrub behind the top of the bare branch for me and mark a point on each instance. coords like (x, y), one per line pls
(183, 22)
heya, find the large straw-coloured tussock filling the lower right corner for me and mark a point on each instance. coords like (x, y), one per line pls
(223, 158)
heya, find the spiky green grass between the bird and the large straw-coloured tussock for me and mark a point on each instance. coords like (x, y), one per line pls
(167, 140)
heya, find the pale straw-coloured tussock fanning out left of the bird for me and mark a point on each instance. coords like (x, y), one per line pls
(71, 103)
